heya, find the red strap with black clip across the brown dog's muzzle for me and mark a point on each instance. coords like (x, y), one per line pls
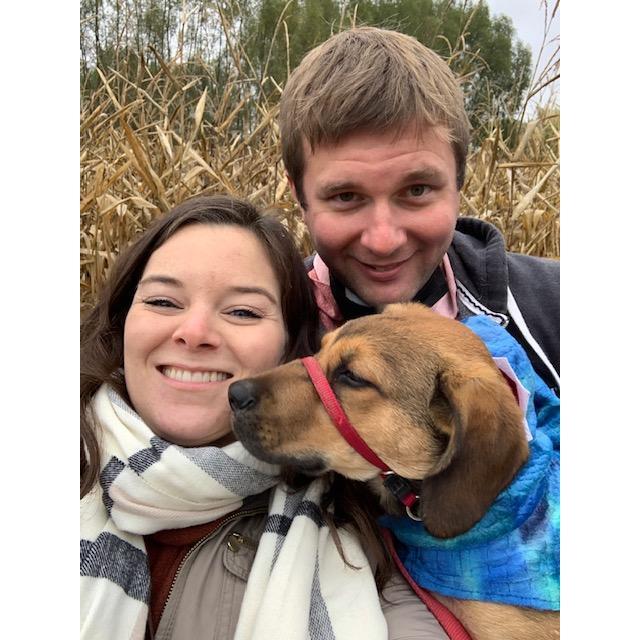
(398, 485)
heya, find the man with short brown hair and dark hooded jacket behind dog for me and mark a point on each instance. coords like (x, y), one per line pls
(374, 138)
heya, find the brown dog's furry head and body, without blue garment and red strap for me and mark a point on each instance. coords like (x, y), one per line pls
(425, 396)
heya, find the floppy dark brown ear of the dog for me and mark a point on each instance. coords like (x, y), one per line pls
(487, 447)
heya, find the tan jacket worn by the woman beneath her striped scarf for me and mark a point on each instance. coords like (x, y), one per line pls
(207, 591)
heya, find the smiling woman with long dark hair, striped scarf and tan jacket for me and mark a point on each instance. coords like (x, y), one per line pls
(183, 533)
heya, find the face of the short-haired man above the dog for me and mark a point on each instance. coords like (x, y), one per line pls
(382, 210)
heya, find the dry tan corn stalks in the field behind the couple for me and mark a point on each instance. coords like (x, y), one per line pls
(147, 144)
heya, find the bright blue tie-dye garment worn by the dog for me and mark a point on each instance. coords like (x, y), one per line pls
(512, 555)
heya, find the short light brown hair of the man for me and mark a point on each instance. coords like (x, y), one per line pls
(369, 79)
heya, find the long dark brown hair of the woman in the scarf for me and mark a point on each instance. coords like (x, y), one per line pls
(102, 347)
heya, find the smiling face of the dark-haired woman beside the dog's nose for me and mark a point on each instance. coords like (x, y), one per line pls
(206, 312)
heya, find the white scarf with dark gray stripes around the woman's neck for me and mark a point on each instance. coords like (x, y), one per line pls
(299, 586)
